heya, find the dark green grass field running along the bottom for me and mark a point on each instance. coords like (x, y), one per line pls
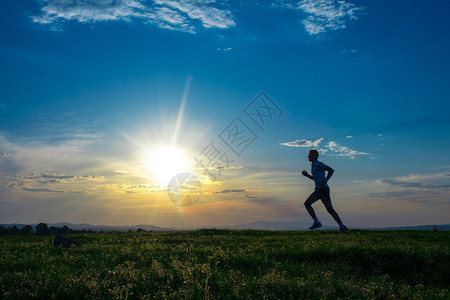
(218, 264)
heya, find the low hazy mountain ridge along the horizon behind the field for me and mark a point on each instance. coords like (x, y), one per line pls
(278, 226)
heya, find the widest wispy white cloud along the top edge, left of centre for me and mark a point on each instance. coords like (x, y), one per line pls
(176, 15)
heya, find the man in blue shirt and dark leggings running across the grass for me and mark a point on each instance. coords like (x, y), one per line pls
(321, 190)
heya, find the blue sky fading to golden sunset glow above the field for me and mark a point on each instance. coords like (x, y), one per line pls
(89, 89)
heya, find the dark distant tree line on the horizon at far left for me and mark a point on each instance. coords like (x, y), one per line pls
(41, 229)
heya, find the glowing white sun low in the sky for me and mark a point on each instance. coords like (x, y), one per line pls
(165, 162)
